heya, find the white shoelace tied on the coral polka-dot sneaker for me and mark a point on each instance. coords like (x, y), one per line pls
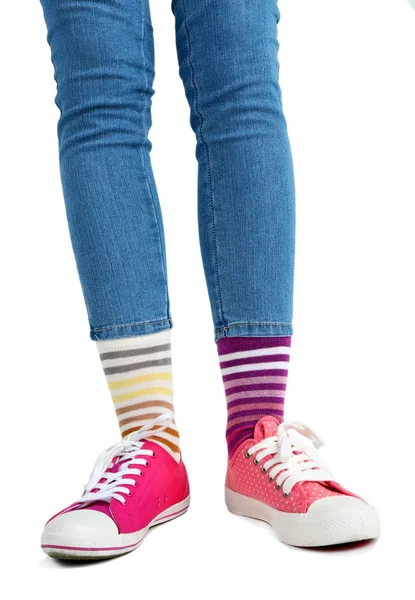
(294, 459)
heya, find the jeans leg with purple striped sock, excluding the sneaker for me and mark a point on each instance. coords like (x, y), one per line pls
(228, 61)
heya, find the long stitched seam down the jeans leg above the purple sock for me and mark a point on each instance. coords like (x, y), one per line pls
(202, 138)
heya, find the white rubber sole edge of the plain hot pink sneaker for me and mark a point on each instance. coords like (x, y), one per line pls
(64, 546)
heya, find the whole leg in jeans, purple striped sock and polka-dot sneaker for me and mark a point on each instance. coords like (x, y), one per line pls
(228, 61)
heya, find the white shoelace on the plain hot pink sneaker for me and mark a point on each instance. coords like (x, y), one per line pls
(108, 485)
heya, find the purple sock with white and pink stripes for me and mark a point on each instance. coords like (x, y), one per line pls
(254, 373)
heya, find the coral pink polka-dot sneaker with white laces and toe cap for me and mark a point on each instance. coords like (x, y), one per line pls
(282, 480)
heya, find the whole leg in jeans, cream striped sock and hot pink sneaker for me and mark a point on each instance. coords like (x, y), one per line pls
(102, 51)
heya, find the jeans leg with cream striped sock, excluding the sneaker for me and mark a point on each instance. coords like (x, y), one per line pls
(103, 55)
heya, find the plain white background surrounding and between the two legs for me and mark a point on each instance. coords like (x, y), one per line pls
(347, 72)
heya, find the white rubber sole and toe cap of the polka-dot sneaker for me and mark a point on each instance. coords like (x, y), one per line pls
(328, 521)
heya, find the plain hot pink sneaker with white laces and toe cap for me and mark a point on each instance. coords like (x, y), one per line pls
(134, 485)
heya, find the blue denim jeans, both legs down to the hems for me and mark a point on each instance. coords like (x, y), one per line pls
(103, 55)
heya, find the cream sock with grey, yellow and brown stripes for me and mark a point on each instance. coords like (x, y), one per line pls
(139, 376)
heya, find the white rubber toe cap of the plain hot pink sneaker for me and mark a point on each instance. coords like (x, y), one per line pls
(80, 528)
